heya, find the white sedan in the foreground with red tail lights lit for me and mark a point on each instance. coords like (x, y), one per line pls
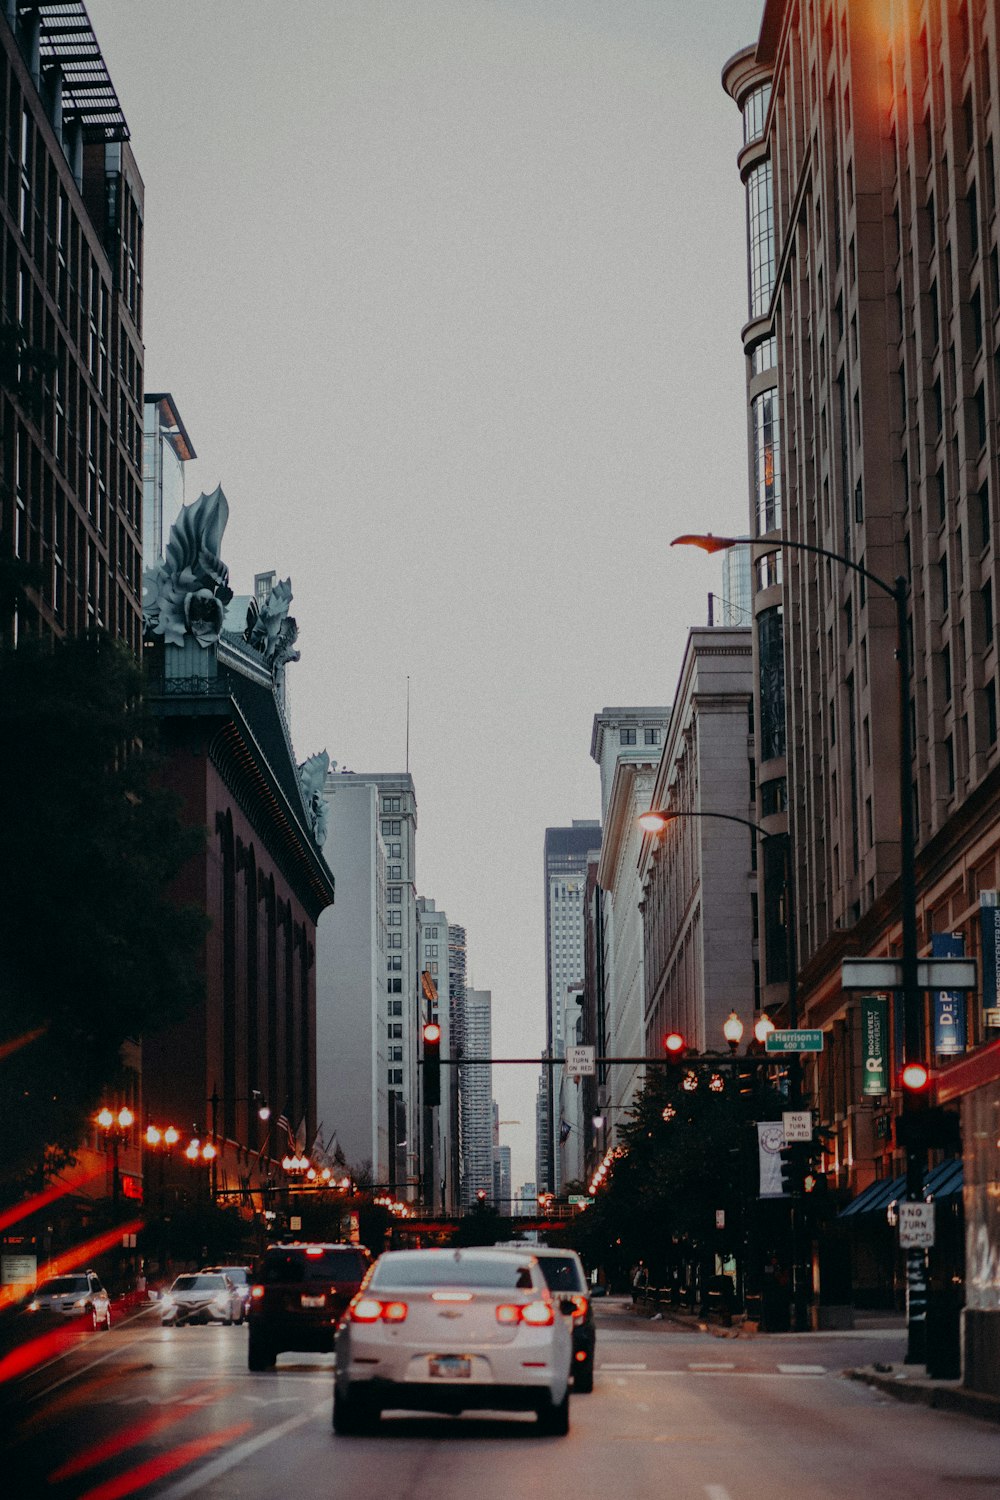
(454, 1331)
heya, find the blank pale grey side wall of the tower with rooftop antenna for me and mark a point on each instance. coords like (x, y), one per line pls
(359, 1024)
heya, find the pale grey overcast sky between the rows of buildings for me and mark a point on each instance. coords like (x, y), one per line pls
(449, 295)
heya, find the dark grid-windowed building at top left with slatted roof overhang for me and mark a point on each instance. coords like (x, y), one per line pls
(71, 329)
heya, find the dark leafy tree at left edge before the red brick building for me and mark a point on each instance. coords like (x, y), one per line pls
(95, 950)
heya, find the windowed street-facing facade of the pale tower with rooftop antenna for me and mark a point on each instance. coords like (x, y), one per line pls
(398, 833)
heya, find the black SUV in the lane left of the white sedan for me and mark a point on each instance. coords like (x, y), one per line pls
(298, 1298)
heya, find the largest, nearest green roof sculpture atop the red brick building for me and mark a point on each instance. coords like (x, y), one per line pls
(188, 592)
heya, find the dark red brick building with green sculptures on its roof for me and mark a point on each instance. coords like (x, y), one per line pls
(262, 877)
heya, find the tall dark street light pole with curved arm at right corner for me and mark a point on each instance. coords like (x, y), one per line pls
(912, 995)
